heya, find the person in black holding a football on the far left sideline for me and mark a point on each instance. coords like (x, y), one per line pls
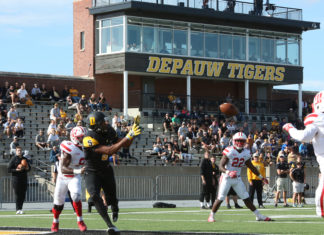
(19, 178)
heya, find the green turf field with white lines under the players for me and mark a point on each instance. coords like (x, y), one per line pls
(287, 220)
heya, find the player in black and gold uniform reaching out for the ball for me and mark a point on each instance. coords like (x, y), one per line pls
(101, 142)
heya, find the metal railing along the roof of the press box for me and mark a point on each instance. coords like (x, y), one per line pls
(219, 5)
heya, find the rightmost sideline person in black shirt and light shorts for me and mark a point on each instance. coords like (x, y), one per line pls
(298, 176)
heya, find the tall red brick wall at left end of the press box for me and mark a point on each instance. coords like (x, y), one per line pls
(83, 60)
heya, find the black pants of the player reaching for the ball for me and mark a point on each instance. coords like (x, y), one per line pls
(105, 180)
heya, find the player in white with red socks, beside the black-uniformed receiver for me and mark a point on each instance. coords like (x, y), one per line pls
(69, 177)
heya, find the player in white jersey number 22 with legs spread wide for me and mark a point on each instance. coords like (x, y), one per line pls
(234, 158)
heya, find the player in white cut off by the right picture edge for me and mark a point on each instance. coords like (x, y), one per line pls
(314, 132)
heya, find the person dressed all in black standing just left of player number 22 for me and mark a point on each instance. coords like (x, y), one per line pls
(208, 182)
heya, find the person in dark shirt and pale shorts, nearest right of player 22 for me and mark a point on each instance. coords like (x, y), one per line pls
(282, 180)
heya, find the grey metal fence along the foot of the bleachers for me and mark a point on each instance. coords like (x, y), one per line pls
(162, 187)
